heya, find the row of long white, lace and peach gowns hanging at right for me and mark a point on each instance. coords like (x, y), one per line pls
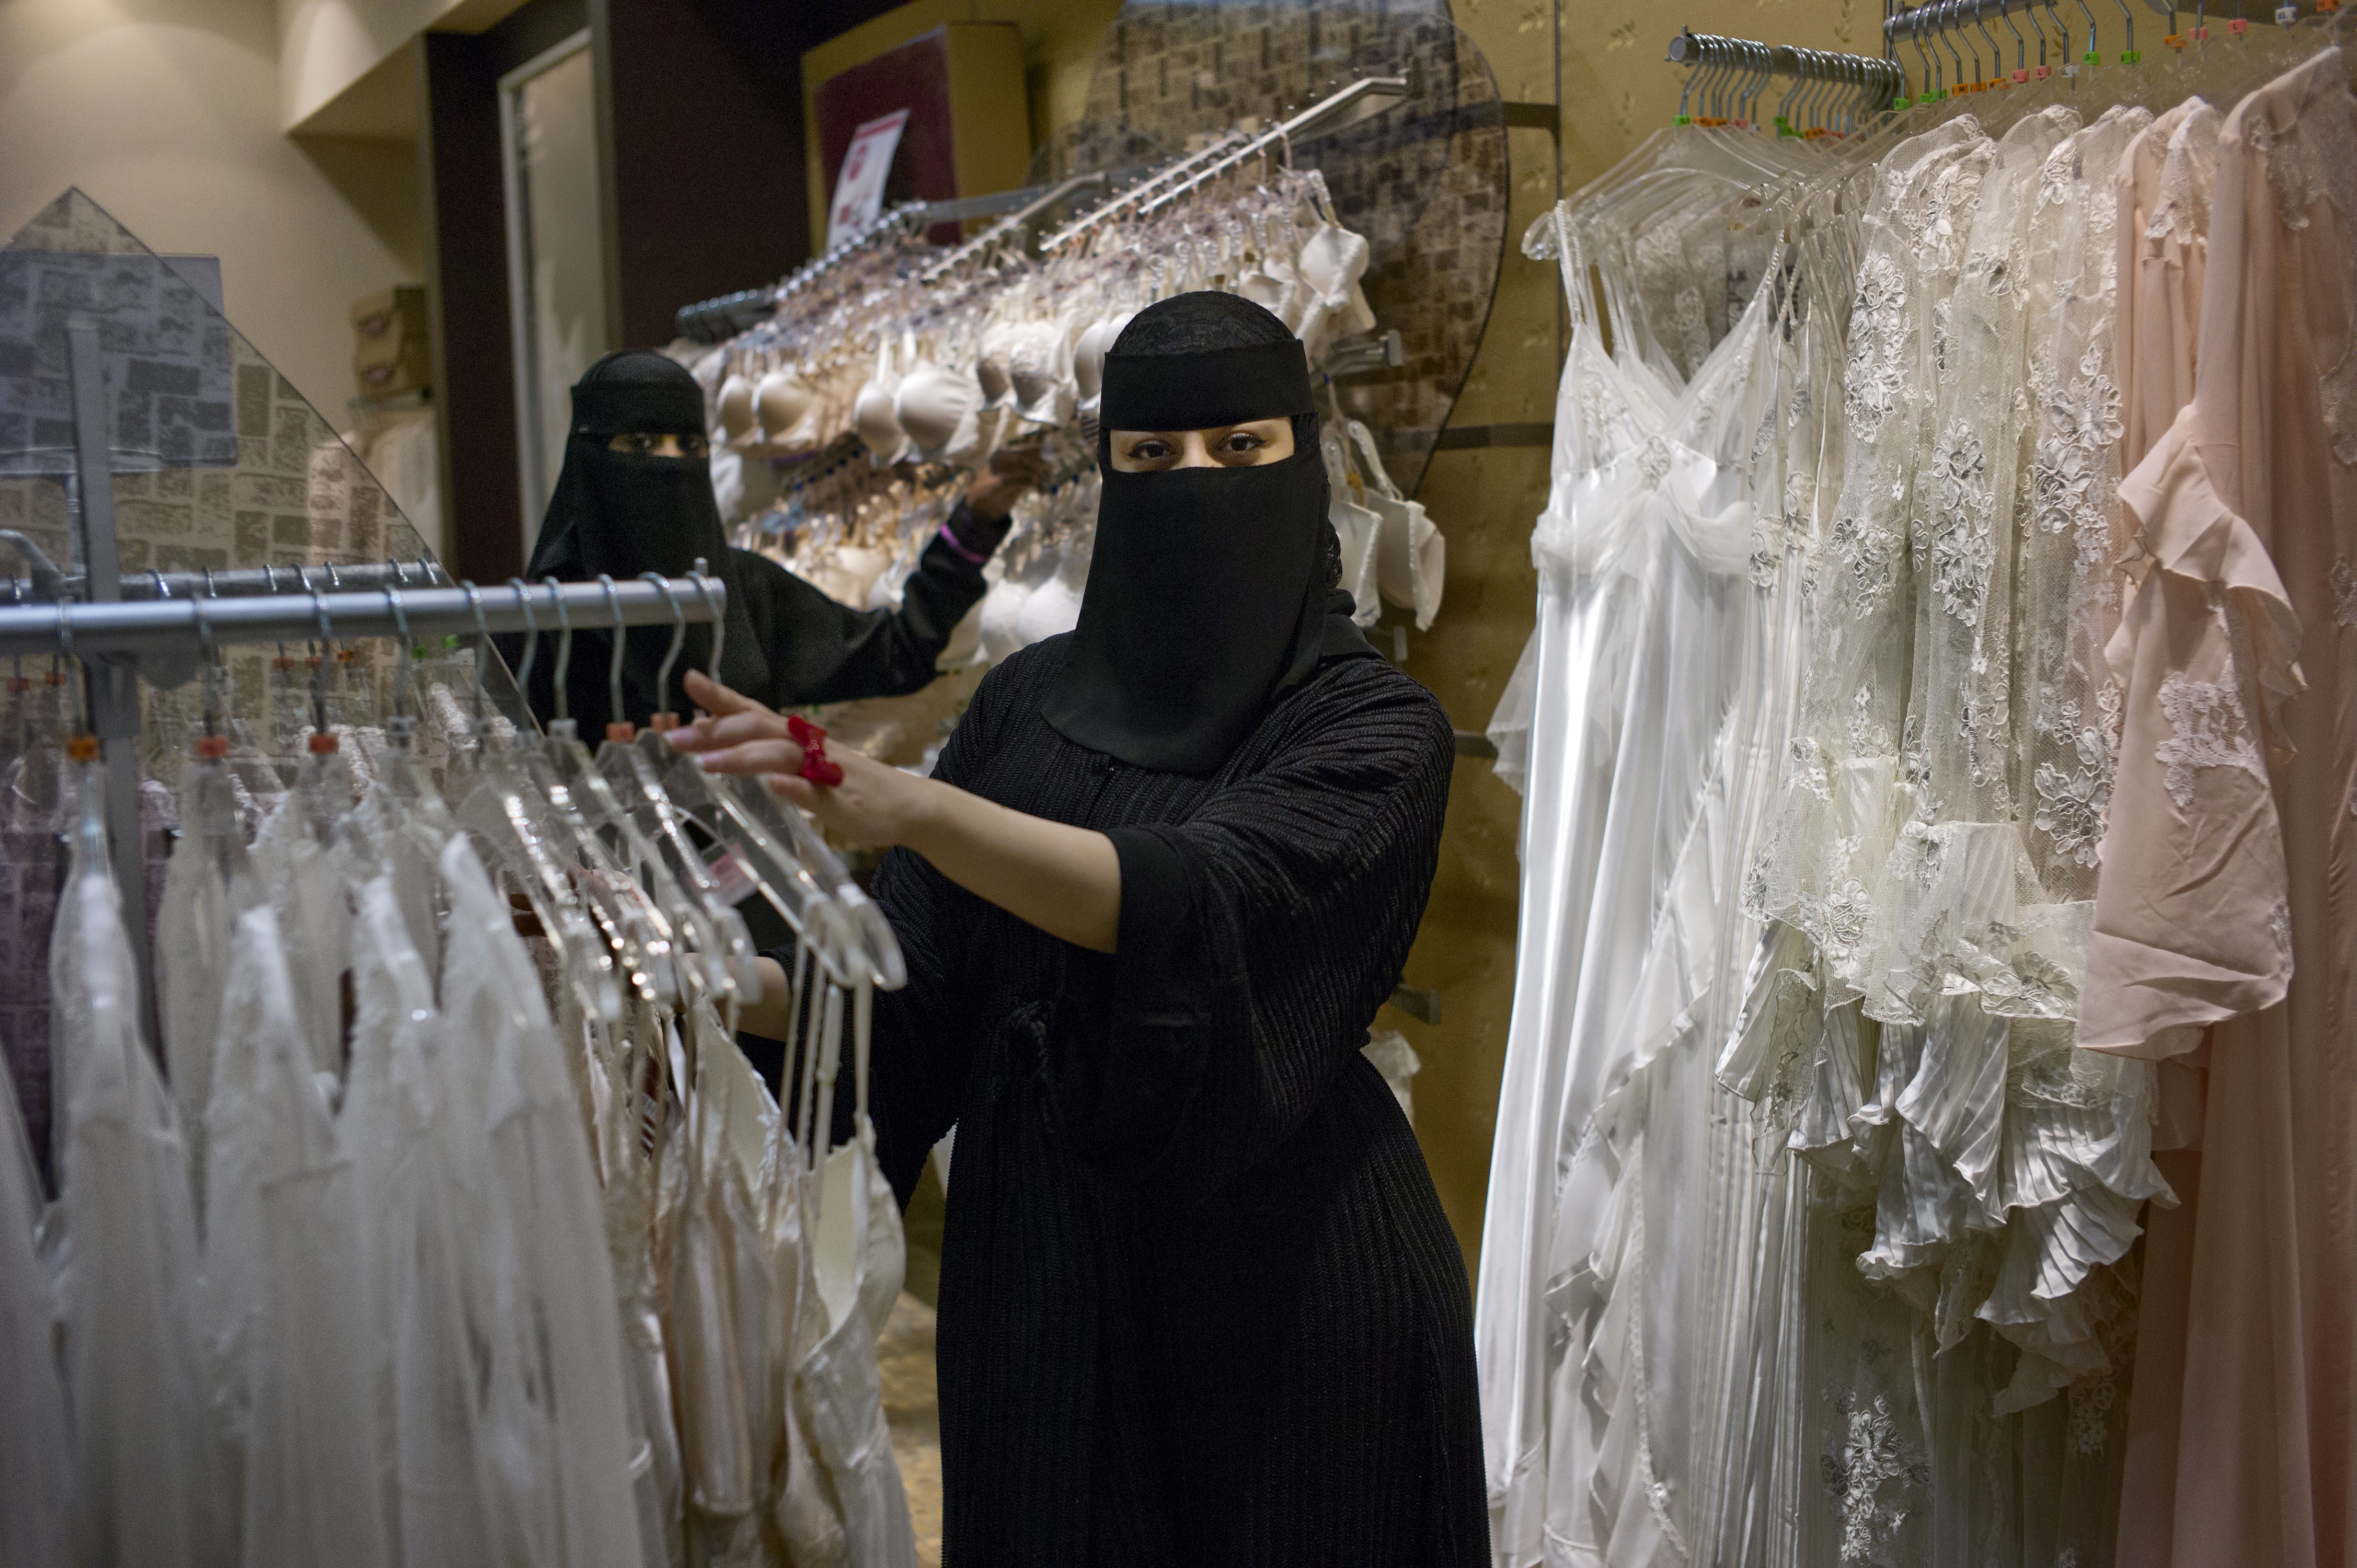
(1924, 1133)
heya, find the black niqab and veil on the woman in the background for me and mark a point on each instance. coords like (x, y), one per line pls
(623, 515)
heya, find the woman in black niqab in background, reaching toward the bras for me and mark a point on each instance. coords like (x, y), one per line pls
(623, 508)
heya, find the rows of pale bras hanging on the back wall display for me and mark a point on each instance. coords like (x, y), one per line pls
(843, 423)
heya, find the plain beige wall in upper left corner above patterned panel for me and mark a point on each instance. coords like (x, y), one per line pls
(169, 114)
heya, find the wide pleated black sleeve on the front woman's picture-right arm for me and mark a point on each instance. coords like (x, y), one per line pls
(1255, 944)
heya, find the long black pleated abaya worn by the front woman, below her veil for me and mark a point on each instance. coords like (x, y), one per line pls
(1199, 1298)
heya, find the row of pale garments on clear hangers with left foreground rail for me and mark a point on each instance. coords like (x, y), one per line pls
(454, 1230)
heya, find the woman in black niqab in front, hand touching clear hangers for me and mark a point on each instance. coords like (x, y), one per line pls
(1199, 1298)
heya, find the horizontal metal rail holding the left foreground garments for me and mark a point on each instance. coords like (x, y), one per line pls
(173, 633)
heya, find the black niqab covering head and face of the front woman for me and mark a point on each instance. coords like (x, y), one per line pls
(1210, 591)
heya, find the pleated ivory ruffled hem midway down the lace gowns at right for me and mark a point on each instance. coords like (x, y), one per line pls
(2007, 1166)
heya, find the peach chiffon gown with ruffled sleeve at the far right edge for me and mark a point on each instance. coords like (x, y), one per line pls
(2226, 923)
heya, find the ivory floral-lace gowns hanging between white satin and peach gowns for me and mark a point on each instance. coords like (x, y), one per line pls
(1913, 1017)
